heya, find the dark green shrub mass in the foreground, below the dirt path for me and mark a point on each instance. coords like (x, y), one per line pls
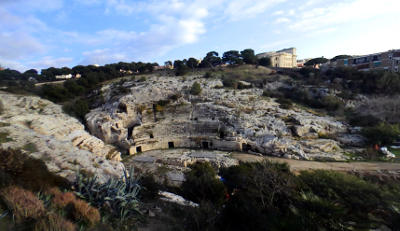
(267, 196)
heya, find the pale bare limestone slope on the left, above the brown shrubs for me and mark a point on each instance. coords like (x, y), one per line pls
(40, 128)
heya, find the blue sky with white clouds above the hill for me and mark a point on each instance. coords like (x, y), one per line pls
(43, 33)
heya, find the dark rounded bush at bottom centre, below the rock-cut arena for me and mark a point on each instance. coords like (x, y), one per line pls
(202, 184)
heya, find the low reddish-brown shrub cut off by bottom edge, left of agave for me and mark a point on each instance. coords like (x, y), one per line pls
(54, 222)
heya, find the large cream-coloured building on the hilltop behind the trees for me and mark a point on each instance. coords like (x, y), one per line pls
(286, 58)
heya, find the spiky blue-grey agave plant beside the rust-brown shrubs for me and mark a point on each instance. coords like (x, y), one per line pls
(118, 195)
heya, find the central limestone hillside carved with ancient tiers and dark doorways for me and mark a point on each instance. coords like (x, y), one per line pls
(161, 113)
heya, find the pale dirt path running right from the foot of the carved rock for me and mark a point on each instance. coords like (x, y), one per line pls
(299, 165)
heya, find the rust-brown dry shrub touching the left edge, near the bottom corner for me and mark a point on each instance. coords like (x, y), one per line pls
(22, 203)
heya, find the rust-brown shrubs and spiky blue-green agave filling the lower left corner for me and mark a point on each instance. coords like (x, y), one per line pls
(32, 198)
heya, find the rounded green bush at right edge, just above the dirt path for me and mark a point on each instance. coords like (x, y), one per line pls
(382, 134)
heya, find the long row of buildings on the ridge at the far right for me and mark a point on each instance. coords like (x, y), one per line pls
(389, 61)
